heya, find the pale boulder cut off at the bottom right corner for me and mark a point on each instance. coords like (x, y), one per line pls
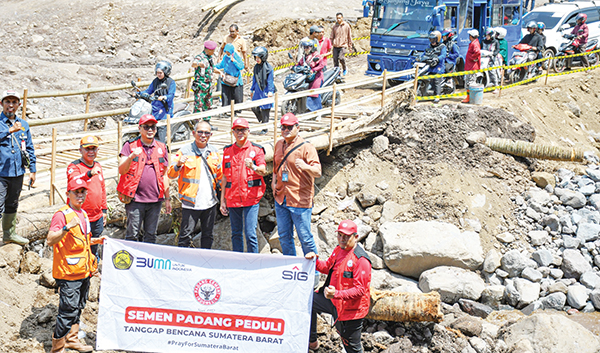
(550, 333)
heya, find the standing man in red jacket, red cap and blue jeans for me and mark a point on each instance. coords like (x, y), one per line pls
(243, 186)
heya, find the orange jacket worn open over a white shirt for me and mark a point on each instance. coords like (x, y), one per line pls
(190, 172)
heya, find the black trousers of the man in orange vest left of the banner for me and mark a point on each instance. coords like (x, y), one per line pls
(72, 298)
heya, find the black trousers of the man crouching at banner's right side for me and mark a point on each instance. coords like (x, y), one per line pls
(350, 331)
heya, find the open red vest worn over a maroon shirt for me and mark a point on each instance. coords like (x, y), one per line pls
(129, 181)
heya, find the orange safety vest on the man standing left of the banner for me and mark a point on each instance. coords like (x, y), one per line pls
(73, 258)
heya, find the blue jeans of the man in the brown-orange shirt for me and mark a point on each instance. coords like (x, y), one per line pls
(287, 218)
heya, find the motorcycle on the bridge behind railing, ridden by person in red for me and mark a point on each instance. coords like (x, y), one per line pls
(300, 79)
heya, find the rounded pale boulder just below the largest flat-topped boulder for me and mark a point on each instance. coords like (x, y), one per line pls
(452, 283)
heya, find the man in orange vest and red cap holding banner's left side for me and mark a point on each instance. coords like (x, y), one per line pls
(72, 266)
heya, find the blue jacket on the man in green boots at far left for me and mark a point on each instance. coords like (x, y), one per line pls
(10, 156)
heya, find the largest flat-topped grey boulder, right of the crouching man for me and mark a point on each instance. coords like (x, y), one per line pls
(409, 248)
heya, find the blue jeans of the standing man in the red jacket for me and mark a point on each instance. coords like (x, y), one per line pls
(244, 220)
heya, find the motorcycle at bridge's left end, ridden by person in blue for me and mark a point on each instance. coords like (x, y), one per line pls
(143, 105)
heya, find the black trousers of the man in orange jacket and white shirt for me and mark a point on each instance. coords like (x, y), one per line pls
(189, 219)
